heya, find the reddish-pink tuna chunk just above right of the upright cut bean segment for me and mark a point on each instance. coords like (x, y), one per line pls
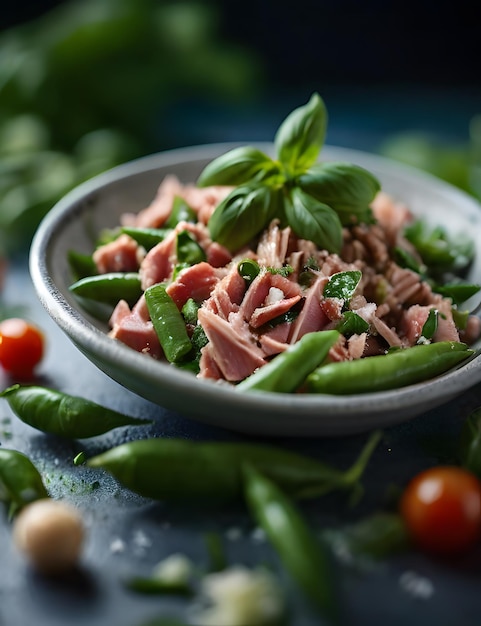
(196, 282)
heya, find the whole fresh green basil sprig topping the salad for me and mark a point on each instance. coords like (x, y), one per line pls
(315, 199)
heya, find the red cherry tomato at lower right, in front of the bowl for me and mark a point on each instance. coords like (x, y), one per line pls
(441, 508)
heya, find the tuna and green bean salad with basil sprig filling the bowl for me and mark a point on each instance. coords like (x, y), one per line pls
(285, 273)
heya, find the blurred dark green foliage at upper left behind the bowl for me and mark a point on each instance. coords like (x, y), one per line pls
(82, 89)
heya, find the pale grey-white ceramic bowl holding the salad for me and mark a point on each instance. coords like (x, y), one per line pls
(77, 219)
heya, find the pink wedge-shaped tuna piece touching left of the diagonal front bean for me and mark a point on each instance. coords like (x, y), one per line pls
(235, 355)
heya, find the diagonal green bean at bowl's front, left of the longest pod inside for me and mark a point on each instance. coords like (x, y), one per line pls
(288, 370)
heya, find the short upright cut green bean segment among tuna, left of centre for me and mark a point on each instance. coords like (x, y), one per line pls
(168, 323)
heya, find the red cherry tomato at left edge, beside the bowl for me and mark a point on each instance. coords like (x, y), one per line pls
(21, 347)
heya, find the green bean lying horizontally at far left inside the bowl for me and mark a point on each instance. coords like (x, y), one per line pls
(109, 288)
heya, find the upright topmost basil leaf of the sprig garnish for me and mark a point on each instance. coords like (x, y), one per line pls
(301, 136)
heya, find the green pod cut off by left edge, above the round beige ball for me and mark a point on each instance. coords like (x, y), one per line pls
(20, 481)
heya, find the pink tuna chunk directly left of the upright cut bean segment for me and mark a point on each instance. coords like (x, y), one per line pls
(134, 328)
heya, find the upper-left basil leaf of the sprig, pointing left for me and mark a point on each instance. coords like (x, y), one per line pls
(236, 167)
